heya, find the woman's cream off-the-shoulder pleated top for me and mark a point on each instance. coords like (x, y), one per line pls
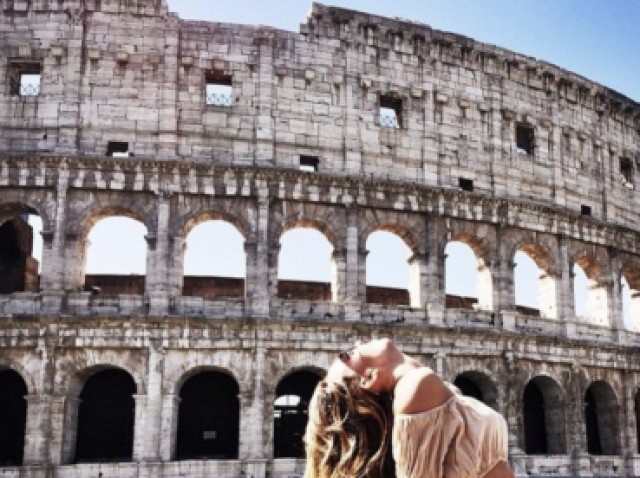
(463, 438)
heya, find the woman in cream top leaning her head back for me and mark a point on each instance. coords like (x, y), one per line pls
(374, 389)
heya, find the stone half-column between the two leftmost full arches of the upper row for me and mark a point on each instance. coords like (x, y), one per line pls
(157, 279)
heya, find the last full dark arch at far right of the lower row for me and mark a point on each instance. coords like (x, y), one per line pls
(601, 420)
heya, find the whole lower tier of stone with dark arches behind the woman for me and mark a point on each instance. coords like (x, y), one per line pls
(196, 397)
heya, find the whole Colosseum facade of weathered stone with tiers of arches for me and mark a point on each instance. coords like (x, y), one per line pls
(353, 125)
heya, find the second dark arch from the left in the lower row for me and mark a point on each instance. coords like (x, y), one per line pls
(106, 418)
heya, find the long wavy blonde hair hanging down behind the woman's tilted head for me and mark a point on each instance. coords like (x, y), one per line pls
(349, 432)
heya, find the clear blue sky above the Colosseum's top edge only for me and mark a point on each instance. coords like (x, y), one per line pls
(598, 39)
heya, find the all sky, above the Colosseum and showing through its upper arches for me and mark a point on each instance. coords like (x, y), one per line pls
(598, 39)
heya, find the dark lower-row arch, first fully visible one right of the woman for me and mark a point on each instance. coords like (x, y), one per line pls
(543, 413)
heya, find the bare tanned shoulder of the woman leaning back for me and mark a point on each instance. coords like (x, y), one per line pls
(419, 390)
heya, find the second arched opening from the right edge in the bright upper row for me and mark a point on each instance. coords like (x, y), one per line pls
(590, 296)
